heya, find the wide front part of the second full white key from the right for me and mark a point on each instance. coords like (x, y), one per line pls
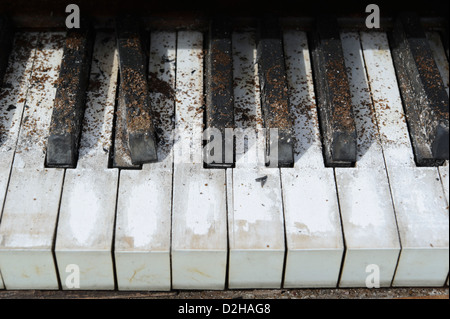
(369, 225)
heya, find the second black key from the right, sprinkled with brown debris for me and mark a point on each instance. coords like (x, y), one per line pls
(333, 94)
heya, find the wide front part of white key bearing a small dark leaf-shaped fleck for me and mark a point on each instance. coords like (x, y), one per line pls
(256, 231)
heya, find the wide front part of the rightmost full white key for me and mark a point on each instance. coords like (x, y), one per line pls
(423, 226)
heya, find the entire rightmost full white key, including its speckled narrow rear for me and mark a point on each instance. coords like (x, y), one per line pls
(418, 196)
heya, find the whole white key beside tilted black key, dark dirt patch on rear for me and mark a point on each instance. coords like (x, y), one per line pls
(142, 242)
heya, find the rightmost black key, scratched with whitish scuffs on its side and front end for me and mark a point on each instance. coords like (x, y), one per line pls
(424, 97)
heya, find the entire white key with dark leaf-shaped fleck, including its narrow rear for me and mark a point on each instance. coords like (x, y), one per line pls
(255, 212)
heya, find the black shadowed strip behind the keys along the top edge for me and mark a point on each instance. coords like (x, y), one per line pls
(44, 13)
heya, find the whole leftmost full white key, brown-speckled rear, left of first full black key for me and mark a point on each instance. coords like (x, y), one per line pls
(31, 205)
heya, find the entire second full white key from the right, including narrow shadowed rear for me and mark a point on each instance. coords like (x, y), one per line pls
(368, 216)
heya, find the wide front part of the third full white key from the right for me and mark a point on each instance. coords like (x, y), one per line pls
(313, 229)
